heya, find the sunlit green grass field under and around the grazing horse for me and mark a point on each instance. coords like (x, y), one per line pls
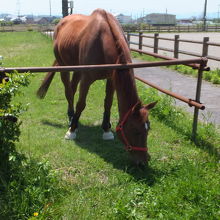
(96, 178)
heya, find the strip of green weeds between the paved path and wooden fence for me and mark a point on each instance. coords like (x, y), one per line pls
(212, 76)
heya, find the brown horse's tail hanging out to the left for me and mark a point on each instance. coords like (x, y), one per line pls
(41, 92)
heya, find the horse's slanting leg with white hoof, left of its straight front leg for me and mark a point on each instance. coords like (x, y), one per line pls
(81, 104)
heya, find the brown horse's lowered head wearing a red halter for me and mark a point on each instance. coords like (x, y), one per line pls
(133, 131)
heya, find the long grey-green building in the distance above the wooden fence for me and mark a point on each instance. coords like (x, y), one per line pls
(160, 19)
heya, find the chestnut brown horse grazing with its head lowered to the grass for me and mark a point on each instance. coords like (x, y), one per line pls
(99, 39)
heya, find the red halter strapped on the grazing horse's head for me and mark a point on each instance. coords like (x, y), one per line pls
(128, 147)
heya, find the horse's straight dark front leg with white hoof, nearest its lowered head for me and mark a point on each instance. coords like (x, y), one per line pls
(106, 125)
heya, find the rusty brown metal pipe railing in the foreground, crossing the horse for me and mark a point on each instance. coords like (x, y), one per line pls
(198, 63)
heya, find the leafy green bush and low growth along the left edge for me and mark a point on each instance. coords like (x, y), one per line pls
(26, 186)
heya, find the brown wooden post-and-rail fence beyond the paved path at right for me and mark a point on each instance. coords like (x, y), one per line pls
(176, 41)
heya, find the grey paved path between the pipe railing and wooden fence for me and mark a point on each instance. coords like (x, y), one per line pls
(185, 86)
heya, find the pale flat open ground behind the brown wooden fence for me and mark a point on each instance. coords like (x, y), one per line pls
(196, 48)
